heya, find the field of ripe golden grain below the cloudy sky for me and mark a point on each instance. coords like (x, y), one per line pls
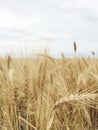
(45, 93)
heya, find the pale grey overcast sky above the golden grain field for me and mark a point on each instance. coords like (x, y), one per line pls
(33, 24)
